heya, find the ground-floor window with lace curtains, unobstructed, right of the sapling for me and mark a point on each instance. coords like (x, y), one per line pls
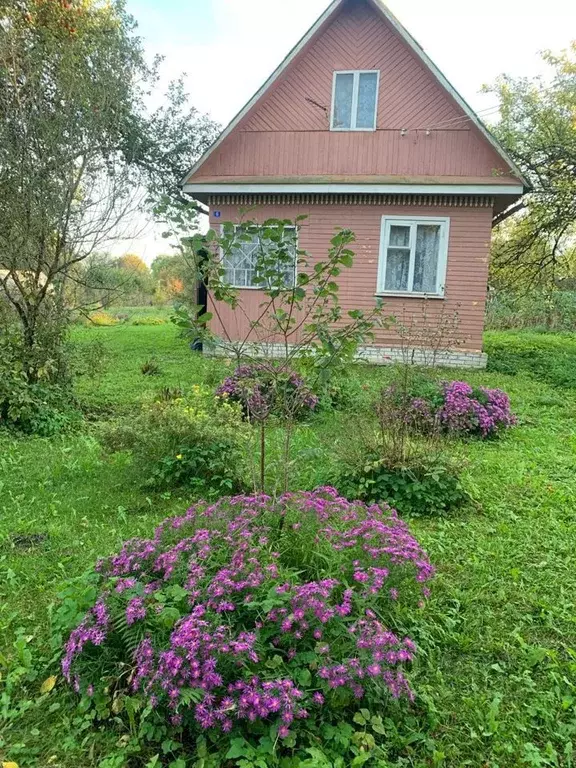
(413, 255)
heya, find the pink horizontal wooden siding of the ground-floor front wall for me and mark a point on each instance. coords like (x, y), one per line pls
(470, 231)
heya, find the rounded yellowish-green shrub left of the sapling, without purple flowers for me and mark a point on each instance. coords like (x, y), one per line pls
(191, 441)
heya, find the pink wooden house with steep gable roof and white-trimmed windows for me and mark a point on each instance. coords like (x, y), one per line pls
(357, 128)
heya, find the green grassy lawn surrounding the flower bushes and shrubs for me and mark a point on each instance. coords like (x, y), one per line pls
(496, 672)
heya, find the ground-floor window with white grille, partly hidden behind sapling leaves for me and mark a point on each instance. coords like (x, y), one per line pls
(244, 263)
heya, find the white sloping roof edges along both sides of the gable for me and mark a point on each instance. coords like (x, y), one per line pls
(416, 48)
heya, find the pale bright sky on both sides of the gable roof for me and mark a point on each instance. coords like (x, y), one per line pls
(229, 47)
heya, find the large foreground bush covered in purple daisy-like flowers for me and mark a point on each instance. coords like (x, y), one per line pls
(255, 618)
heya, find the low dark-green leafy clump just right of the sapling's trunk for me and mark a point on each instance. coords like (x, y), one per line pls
(426, 487)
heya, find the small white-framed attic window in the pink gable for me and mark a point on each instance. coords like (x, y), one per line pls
(355, 100)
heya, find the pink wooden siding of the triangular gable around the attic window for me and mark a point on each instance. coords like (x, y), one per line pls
(288, 132)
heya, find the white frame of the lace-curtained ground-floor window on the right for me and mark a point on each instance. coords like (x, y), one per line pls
(412, 222)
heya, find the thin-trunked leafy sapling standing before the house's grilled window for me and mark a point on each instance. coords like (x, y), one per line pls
(300, 321)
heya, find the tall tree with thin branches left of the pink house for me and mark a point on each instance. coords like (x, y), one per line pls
(81, 156)
